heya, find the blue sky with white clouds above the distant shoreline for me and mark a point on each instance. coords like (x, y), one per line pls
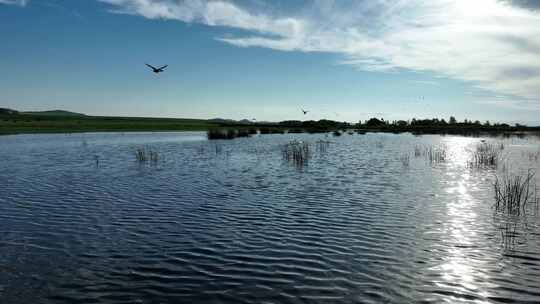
(345, 60)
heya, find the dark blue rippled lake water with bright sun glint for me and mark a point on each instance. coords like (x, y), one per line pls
(232, 222)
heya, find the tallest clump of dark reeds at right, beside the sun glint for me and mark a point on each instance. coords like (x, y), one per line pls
(513, 192)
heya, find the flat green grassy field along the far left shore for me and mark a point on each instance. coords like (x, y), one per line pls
(42, 123)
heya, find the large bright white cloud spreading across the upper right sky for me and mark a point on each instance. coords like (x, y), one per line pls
(490, 43)
